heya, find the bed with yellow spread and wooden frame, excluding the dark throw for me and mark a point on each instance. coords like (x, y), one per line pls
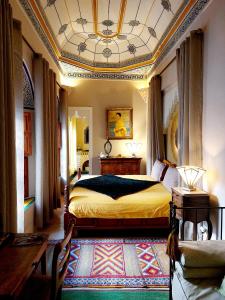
(90, 210)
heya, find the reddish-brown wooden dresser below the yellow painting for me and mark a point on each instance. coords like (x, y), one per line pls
(120, 165)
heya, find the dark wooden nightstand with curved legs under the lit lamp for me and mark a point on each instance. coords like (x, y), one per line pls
(197, 198)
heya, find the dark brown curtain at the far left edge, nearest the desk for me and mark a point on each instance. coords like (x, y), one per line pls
(8, 203)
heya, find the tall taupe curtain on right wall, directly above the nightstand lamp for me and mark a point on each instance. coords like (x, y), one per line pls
(189, 59)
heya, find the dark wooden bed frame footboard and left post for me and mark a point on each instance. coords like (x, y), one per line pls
(91, 224)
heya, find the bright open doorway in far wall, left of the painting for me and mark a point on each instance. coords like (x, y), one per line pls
(80, 140)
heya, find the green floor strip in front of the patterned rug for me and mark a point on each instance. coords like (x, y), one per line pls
(116, 295)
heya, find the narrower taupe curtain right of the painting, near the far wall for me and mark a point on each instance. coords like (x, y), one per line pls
(156, 141)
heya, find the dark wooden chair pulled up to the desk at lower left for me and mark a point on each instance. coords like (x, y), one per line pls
(46, 287)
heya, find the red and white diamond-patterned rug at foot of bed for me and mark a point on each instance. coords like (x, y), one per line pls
(129, 263)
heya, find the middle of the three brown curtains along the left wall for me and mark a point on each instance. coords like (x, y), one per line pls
(46, 141)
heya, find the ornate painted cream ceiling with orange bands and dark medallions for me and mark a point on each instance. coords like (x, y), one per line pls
(107, 36)
